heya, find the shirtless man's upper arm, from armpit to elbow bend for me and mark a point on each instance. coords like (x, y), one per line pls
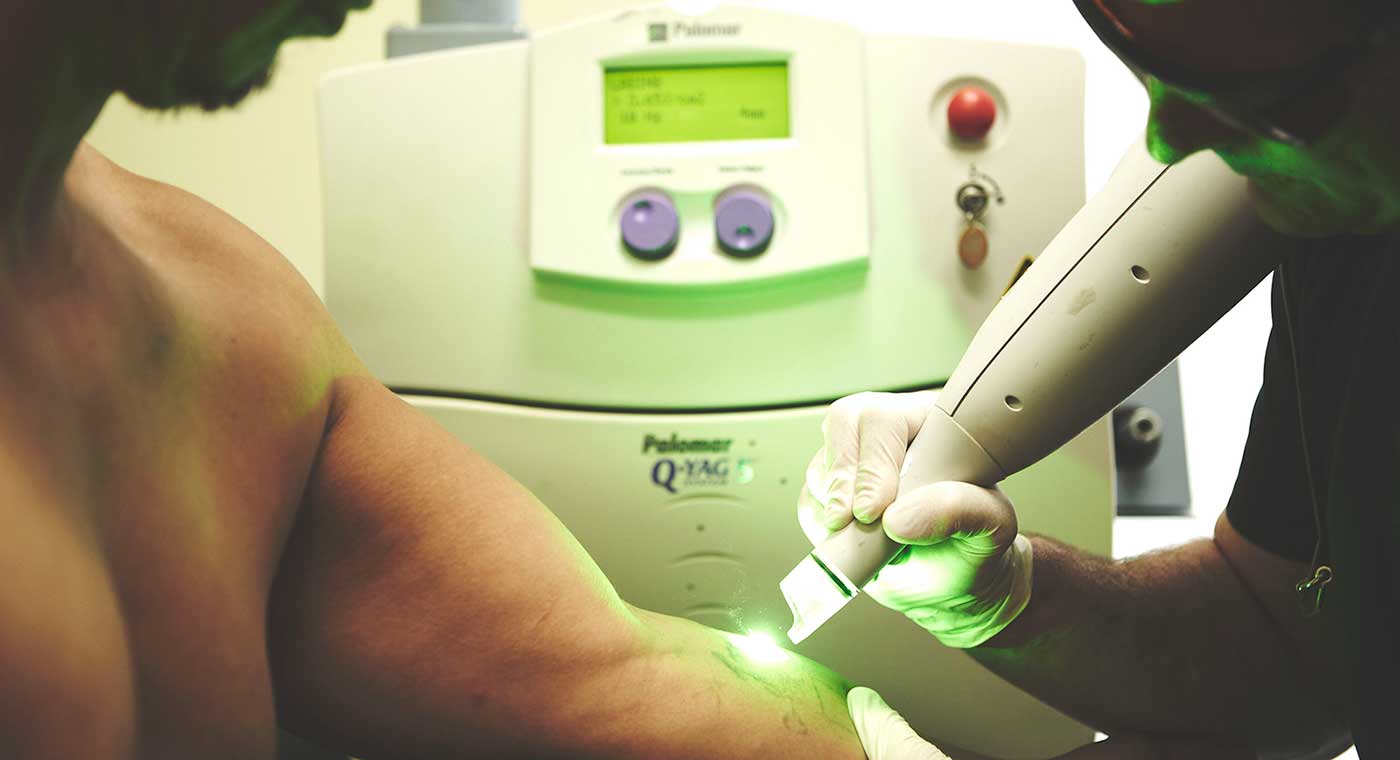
(411, 551)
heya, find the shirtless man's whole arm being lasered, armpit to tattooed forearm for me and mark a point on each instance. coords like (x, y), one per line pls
(429, 605)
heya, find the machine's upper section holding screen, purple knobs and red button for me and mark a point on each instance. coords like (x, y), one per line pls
(727, 211)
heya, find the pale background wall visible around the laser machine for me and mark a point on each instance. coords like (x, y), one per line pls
(260, 163)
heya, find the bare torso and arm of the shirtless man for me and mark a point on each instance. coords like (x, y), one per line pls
(215, 521)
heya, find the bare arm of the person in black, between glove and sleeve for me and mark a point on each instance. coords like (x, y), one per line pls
(1213, 628)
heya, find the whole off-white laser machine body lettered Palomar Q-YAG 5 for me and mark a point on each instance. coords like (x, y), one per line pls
(660, 386)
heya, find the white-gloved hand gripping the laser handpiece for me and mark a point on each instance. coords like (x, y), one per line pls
(968, 575)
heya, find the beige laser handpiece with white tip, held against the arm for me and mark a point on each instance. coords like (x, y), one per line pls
(1137, 275)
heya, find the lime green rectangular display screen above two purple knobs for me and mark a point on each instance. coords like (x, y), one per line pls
(684, 104)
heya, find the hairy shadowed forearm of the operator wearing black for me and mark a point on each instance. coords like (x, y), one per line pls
(1167, 645)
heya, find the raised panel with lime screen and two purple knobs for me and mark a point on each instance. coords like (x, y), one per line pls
(713, 150)
